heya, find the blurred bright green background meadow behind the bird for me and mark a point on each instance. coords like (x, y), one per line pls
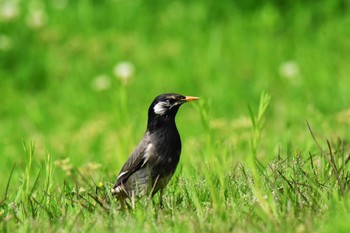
(77, 77)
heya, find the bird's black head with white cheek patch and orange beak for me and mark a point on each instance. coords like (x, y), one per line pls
(165, 106)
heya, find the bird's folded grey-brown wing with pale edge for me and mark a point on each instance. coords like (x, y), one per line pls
(137, 159)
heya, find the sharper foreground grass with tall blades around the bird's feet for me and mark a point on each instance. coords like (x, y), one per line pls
(293, 191)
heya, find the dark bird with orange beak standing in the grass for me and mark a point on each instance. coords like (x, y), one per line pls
(153, 162)
